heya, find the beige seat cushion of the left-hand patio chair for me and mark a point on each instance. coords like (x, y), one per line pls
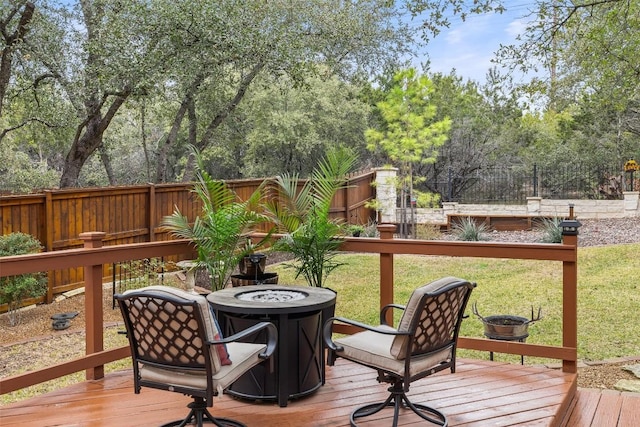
(244, 355)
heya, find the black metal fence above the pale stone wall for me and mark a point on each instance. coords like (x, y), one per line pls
(508, 185)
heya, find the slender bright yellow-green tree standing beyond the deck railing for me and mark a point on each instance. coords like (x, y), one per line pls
(410, 134)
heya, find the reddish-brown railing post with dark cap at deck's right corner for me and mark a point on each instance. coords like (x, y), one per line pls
(570, 291)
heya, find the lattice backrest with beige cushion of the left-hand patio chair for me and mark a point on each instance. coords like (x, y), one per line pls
(168, 328)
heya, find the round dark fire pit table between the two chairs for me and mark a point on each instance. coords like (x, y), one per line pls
(299, 357)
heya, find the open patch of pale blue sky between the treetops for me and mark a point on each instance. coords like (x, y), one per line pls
(469, 46)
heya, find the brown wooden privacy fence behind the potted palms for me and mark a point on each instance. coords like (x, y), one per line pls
(133, 215)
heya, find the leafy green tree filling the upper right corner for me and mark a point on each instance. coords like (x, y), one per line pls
(588, 52)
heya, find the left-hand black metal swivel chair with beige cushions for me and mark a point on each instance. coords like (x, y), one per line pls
(176, 346)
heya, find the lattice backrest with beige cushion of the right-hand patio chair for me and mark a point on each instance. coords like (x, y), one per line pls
(433, 316)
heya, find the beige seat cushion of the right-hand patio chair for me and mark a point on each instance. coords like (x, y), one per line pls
(374, 349)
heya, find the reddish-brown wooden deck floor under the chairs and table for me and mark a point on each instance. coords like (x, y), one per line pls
(480, 393)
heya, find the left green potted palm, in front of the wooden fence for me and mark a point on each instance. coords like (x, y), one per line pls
(220, 232)
